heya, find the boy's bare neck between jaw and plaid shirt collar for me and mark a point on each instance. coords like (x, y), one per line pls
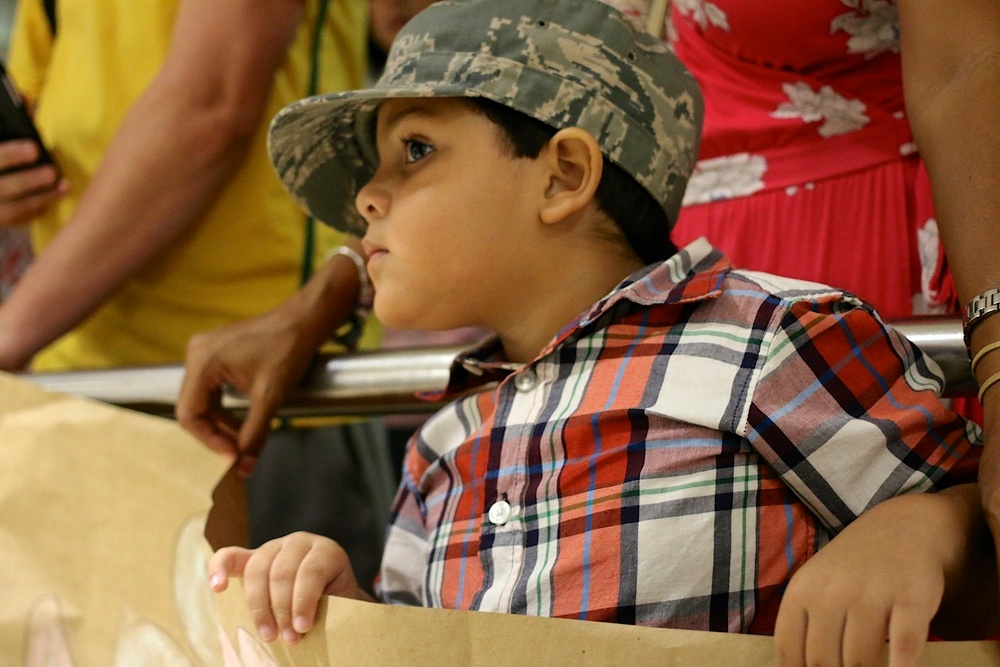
(566, 287)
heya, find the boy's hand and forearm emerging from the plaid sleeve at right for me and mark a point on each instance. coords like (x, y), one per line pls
(905, 563)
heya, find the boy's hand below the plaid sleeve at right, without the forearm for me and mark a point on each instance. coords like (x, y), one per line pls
(850, 598)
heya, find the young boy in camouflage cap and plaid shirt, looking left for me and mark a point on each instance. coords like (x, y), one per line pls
(662, 439)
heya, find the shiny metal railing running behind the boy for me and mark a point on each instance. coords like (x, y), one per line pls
(386, 381)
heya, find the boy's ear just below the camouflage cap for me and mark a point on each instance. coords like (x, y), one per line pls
(575, 164)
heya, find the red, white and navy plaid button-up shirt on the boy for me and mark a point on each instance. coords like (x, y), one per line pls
(672, 456)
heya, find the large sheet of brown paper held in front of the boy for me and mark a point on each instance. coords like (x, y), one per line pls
(102, 563)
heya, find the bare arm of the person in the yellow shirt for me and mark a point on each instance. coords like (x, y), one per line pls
(176, 149)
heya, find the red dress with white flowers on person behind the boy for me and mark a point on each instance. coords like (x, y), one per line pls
(807, 167)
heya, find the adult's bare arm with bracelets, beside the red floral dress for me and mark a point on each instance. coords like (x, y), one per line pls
(951, 68)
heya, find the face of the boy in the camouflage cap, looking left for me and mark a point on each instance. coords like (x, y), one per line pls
(451, 218)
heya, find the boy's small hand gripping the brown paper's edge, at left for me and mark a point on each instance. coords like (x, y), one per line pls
(284, 580)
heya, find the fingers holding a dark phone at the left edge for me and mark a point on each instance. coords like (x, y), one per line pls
(26, 192)
